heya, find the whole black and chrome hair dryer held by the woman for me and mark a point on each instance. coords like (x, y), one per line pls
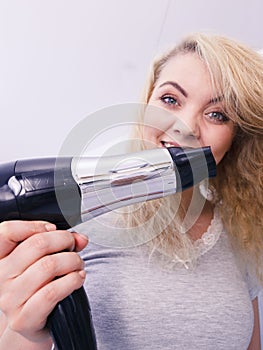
(71, 190)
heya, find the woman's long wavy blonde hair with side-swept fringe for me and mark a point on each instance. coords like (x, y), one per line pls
(236, 74)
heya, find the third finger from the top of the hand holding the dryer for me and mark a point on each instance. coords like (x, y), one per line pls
(41, 273)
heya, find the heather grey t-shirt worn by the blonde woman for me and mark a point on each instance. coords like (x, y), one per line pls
(137, 304)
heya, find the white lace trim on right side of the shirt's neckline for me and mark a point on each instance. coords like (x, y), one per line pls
(211, 236)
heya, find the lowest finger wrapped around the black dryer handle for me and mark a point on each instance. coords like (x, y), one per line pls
(33, 315)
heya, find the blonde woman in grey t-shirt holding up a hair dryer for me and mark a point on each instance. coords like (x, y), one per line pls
(195, 285)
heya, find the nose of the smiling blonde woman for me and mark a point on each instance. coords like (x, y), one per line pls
(186, 125)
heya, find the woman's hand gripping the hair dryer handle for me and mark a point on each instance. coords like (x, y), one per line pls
(32, 255)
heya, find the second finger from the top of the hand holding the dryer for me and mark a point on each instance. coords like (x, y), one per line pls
(34, 248)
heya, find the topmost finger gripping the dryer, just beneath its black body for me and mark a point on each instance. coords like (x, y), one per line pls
(14, 232)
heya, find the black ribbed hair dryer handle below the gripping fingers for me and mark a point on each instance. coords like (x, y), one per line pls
(70, 323)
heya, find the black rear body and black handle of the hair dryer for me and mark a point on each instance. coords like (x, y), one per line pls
(70, 323)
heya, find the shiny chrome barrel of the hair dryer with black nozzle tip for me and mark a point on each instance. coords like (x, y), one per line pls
(109, 183)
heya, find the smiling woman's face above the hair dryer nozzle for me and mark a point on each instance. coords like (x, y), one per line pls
(189, 115)
